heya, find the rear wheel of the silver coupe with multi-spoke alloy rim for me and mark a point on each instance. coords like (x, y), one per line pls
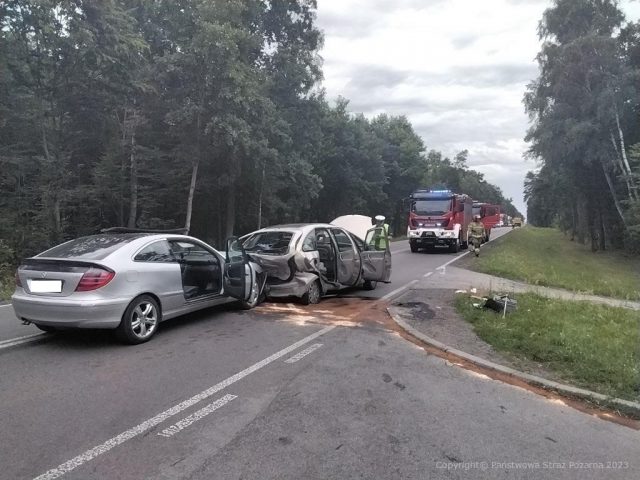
(140, 320)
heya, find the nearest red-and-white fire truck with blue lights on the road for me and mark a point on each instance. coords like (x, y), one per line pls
(439, 218)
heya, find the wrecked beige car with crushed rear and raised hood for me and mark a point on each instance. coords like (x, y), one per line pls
(310, 260)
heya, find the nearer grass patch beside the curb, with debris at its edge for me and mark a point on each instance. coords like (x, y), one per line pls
(591, 346)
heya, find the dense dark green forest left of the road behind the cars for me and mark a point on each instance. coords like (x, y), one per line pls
(198, 114)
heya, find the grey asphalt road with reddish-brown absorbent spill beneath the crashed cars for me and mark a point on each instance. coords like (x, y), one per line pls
(283, 392)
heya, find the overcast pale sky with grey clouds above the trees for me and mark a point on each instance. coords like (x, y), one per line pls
(456, 68)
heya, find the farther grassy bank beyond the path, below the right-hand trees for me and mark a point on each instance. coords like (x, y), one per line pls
(544, 256)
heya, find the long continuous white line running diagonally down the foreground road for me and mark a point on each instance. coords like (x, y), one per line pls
(161, 417)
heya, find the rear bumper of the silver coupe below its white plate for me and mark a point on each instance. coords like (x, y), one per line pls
(63, 312)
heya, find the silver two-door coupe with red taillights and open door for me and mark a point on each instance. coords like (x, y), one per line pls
(131, 282)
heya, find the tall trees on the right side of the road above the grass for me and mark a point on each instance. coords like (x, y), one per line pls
(585, 131)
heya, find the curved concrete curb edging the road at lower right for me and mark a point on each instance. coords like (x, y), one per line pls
(622, 405)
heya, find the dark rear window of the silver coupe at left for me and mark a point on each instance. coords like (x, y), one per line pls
(94, 247)
